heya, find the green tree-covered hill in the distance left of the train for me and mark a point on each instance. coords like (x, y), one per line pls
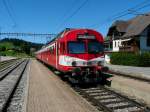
(18, 47)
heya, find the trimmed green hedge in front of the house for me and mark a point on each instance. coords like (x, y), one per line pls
(131, 59)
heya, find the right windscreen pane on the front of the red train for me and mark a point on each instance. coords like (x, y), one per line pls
(95, 47)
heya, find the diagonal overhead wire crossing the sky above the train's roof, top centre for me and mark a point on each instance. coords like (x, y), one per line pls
(74, 13)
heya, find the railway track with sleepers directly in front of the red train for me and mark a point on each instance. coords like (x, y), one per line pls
(107, 100)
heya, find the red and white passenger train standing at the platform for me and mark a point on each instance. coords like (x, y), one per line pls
(78, 53)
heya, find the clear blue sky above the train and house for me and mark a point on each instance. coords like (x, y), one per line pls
(52, 16)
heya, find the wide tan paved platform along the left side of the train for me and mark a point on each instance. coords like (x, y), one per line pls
(47, 93)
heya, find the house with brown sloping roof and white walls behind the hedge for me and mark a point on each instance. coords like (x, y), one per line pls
(131, 36)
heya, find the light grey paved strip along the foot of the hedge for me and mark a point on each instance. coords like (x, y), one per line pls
(140, 72)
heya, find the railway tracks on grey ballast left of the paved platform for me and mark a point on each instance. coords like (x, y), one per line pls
(9, 80)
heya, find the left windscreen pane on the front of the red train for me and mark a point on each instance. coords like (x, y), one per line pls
(76, 47)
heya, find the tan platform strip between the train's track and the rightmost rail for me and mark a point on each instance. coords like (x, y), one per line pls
(134, 88)
